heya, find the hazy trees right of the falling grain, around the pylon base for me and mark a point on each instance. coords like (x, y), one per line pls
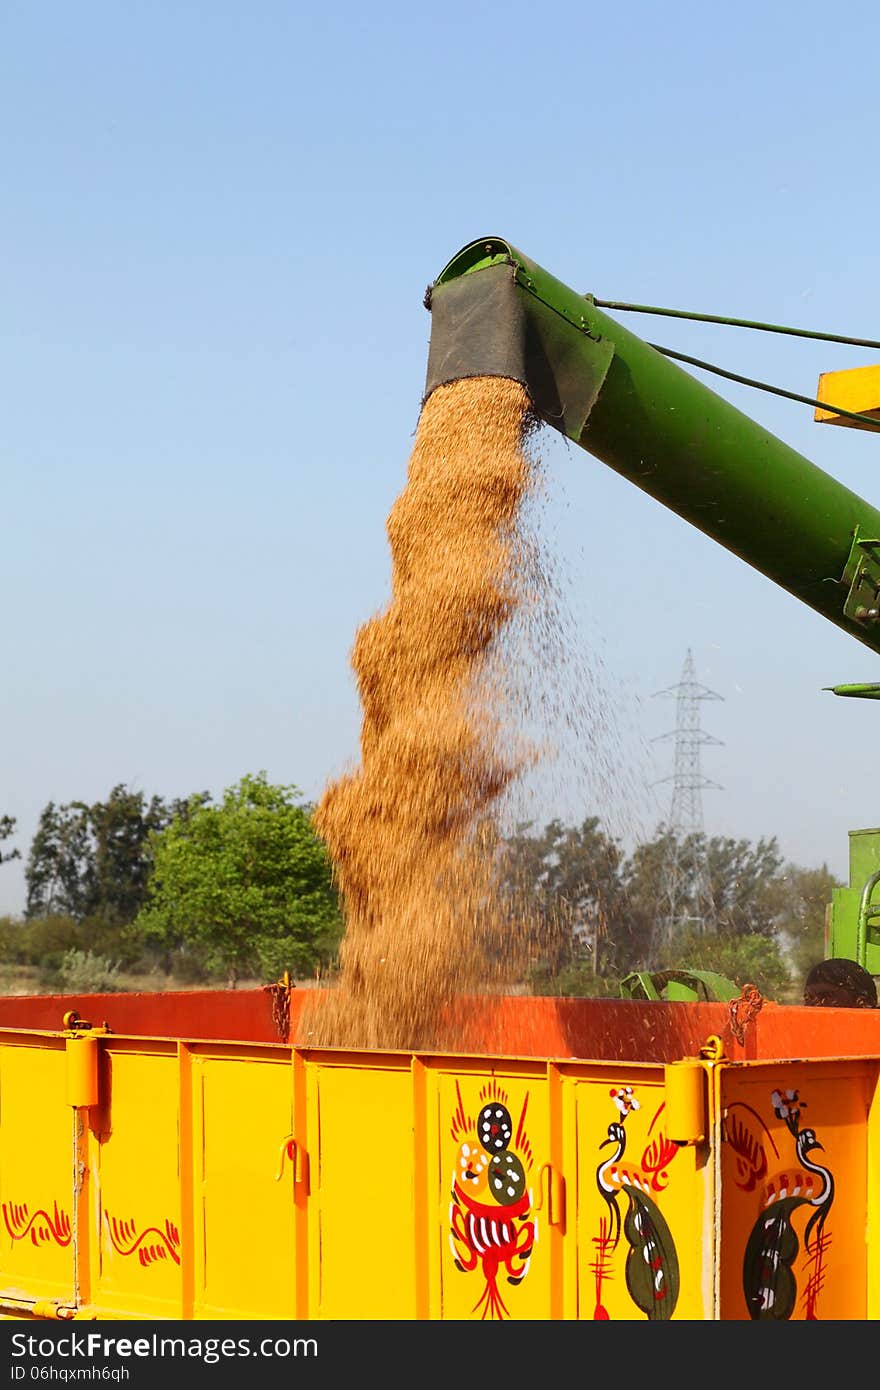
(597, 915)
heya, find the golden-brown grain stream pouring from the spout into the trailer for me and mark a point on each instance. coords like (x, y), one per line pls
(414, 831)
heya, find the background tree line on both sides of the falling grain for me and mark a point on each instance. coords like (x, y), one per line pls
(245, 888)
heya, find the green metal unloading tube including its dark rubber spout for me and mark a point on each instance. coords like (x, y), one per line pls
(498, 313)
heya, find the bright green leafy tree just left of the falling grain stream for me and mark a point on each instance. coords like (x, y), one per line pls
(248, 883)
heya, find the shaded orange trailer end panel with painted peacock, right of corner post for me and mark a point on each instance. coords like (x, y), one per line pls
(795, 1177)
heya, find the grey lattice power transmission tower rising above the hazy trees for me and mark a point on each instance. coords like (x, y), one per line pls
(686, 888)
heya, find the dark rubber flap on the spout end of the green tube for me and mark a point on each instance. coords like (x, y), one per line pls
(484, 325)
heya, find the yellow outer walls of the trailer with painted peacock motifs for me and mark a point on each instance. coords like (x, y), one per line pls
(247, 1181)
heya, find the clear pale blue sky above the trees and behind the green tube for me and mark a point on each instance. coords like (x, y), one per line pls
(219, 223)
